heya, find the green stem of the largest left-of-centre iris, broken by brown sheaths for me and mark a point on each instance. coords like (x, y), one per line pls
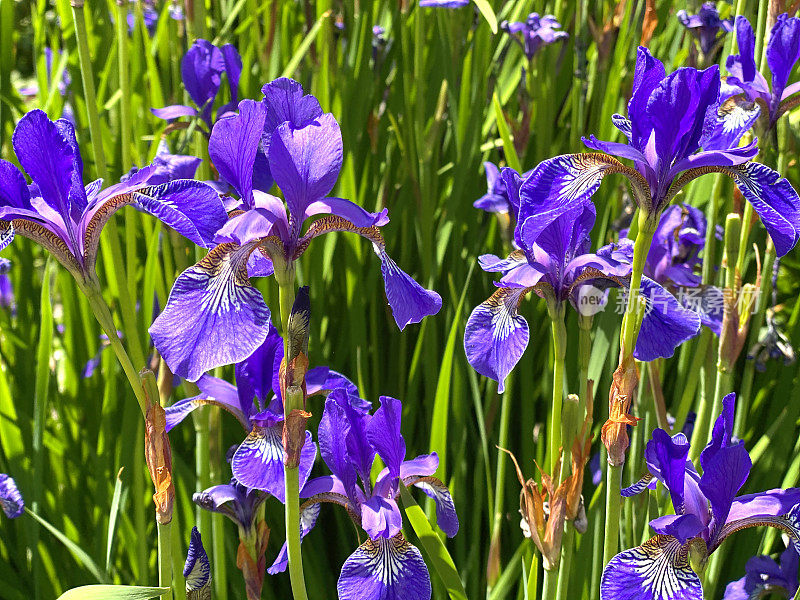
(285, 277)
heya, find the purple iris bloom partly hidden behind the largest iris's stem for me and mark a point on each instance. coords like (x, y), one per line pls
(256, 403)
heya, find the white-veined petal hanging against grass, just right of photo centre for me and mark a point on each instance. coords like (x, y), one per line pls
(496, 335)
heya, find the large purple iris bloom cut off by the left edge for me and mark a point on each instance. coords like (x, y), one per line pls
(66, 218)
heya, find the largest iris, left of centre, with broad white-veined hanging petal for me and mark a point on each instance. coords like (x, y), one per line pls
(214, 316)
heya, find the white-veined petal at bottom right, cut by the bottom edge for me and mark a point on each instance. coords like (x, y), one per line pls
(657, 570)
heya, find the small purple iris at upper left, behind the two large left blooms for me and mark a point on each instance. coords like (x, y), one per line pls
(201, 70)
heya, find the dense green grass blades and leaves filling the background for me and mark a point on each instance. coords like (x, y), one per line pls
(418, 119)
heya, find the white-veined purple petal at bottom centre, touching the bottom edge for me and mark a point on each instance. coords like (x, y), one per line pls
(385, 569)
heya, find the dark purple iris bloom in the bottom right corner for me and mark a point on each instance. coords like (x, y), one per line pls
(766, 578)
